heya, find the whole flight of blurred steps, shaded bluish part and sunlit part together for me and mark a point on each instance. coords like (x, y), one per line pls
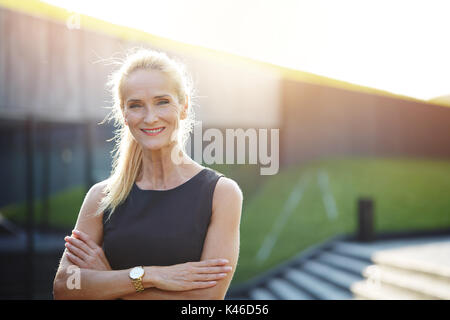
(343, 269)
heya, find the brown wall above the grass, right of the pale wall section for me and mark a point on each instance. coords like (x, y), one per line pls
(321, 121)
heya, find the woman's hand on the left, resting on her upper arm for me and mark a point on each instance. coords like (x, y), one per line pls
(85, 253)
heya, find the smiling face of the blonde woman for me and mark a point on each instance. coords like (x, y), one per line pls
(151, 109)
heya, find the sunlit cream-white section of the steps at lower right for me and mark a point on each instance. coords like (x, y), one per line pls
(420, 272)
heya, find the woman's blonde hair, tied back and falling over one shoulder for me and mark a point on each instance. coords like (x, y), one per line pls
(127, 153)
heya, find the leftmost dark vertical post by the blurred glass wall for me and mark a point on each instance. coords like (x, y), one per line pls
(29, 190)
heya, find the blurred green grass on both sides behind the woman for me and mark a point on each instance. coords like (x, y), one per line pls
(408, 195)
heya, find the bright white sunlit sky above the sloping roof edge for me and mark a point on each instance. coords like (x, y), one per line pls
(399, 46)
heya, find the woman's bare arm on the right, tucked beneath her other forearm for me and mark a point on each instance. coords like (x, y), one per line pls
(222, 240)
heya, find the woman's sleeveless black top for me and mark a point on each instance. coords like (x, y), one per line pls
(160, 227)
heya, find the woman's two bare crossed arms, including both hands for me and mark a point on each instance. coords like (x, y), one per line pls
(208, 278)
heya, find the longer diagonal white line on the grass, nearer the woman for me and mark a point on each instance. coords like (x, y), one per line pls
(290, 205)
